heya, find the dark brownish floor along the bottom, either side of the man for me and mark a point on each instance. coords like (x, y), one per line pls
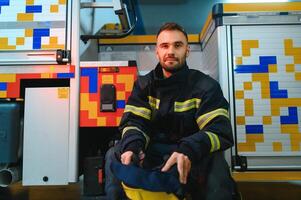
(249, 190)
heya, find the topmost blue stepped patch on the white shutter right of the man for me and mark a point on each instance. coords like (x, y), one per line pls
(263, 66)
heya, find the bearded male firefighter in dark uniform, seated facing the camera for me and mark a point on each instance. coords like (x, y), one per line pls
(176, 118)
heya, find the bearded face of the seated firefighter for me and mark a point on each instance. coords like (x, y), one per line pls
(171, 50)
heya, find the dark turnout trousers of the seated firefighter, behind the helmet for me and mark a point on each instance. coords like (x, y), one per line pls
(209, 179)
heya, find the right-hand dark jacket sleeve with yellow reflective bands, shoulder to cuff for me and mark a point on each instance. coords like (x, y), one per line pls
(215, 131)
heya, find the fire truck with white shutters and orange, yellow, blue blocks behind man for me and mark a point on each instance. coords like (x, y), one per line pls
(67, 68)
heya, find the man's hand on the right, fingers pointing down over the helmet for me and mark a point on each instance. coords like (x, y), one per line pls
(183, 165)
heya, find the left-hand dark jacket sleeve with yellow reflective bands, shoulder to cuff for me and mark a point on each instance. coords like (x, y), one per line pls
(135, 121)
